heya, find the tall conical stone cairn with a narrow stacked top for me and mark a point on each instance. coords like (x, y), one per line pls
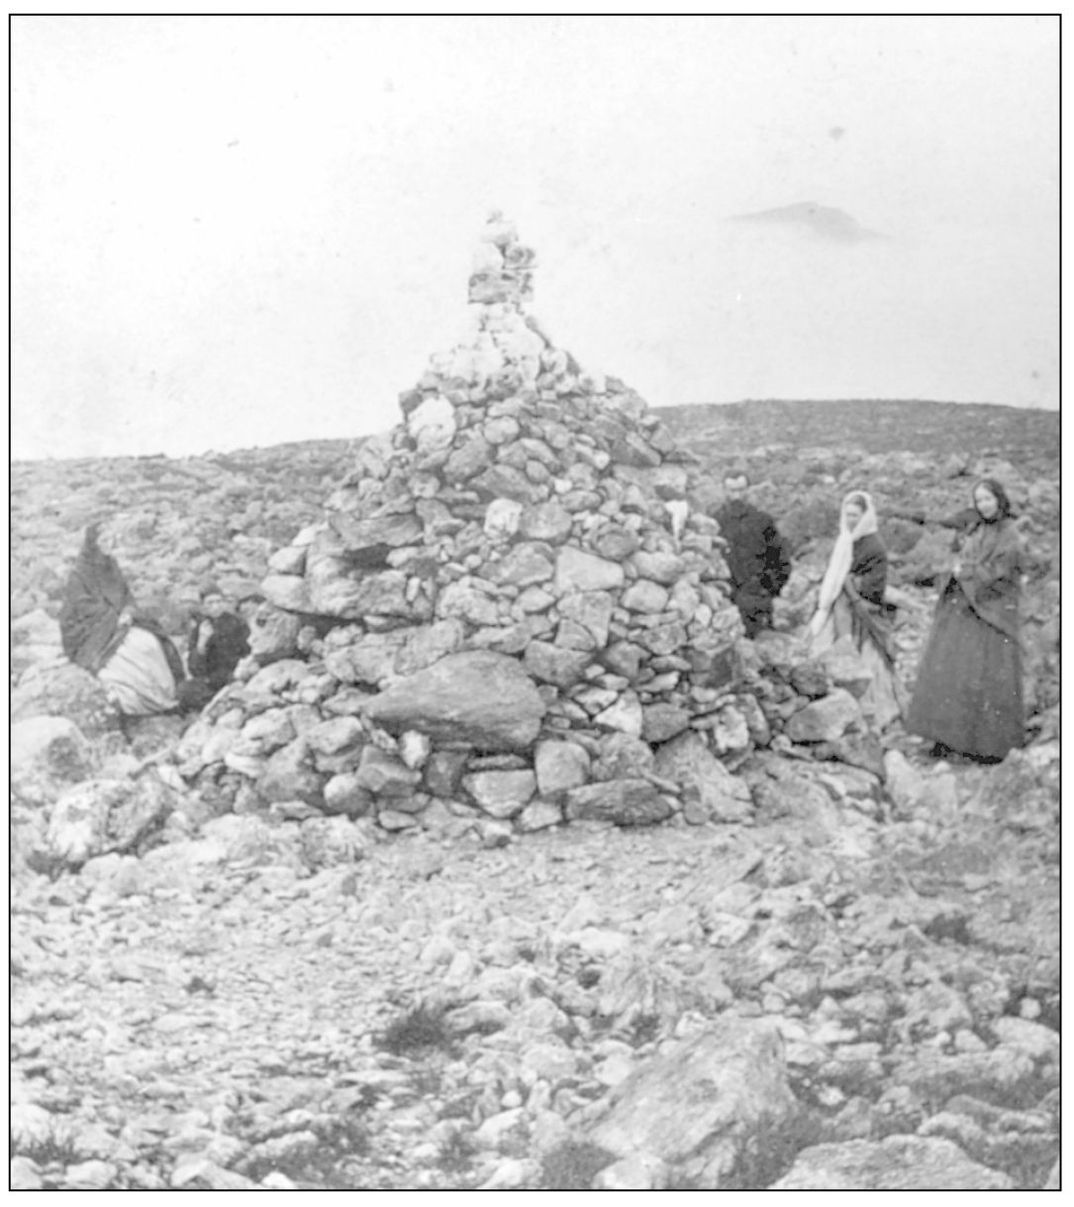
(509, 615)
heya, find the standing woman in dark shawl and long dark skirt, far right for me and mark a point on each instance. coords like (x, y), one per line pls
(968, 697)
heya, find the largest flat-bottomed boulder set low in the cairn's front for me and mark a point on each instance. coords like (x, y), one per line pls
(476, 697)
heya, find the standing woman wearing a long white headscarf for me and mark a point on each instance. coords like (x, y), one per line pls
(851, 607)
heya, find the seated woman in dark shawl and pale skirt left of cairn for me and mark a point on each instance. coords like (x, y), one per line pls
(103, 632)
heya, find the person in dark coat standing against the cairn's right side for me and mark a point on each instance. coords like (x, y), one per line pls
(756, 556)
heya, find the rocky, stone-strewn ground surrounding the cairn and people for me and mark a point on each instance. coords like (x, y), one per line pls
(854, 986)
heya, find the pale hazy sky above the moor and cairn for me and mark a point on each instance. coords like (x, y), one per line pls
(235, 232)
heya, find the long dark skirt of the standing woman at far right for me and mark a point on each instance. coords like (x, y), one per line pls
(970, 689)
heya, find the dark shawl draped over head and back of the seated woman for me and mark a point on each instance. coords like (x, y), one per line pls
(95, 597)
